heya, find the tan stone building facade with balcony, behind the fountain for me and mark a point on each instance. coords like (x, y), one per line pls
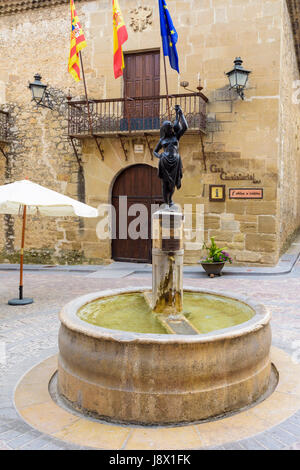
(247, 144)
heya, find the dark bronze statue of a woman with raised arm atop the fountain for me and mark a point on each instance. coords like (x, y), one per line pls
(170, 164)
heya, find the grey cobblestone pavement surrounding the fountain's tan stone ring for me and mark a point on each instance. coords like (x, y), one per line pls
(28, 335)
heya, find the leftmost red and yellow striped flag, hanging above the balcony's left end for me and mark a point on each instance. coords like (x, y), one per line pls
(77, 43)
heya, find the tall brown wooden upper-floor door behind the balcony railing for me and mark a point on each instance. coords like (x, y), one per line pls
(142, 79)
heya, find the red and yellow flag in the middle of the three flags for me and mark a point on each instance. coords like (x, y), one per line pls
(120, 36)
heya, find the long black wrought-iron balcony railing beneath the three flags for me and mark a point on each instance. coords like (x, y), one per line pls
(127, 116)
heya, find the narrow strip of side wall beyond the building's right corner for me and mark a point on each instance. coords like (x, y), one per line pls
(289, 127)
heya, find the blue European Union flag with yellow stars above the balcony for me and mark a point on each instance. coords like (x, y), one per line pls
(168, 34)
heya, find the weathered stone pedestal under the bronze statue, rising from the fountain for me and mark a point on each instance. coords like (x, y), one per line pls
(167, 261)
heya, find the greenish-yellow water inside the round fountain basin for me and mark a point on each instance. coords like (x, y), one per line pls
(132, 312)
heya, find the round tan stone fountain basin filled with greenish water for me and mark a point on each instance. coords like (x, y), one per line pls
(153, 376)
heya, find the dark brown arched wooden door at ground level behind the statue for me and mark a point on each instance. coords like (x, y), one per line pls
(141, 185)
